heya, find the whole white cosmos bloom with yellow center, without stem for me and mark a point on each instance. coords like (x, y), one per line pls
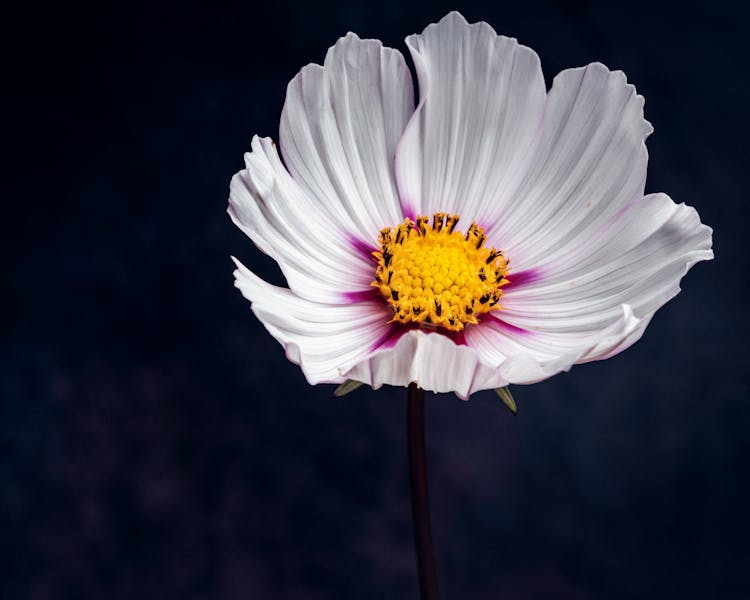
(495, 233)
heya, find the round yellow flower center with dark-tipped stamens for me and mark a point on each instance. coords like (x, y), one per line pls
(437, 275)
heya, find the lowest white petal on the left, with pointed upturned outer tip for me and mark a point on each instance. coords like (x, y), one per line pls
(323, 339)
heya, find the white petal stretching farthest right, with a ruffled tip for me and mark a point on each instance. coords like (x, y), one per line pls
(637, 259)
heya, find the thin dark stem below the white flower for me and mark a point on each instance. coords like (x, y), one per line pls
(419, 506)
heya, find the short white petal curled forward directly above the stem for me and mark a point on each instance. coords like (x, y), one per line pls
(432, 360)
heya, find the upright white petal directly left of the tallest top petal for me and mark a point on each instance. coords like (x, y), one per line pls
(339, 129)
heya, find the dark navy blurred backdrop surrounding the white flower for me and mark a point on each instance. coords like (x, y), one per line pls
(154, 441)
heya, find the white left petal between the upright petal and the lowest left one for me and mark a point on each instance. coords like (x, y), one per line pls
(318, 259)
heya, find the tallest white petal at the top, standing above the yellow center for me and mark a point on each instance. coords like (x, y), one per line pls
(482, 103)
